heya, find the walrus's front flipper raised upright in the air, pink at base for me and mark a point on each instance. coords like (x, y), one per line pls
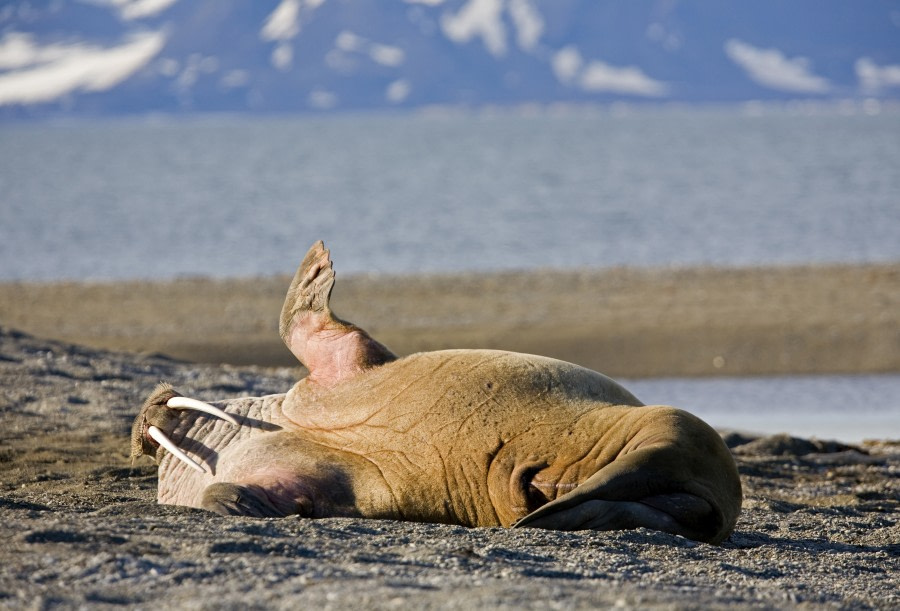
(332, 349)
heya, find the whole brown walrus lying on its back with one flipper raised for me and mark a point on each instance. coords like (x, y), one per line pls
(468, 437)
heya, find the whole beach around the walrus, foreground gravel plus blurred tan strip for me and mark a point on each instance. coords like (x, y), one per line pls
(820, 525)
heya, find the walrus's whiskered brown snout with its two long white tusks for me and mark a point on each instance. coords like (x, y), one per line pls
(158, 417)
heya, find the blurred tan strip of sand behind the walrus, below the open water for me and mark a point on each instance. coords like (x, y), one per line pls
(628, 322)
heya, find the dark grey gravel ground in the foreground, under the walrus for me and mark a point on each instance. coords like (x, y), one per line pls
(820, 526)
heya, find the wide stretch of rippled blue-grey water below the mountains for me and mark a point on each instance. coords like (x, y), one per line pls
(238, 197)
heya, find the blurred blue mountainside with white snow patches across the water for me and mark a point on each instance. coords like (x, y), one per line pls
(107, 57)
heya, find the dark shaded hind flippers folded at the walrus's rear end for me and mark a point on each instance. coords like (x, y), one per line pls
(628, 493)
